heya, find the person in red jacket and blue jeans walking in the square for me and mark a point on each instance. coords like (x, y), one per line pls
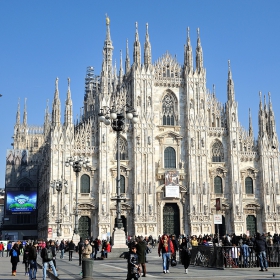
(166, 249)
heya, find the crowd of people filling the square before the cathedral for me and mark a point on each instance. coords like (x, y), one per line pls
(170, 248)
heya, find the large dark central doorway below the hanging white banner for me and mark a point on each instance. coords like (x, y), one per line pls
(171, 219)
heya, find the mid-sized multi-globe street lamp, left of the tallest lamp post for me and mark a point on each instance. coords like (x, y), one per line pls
(77, 163)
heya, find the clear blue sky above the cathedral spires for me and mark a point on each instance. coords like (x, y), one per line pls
(42, 40)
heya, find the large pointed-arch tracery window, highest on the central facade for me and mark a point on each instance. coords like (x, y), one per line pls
(169, 104)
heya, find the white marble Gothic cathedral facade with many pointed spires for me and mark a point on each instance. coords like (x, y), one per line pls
(187, 166)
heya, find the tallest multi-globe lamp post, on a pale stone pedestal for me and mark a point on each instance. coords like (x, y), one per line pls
(110, 116)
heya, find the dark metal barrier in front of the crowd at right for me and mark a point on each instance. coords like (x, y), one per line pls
(232, 257)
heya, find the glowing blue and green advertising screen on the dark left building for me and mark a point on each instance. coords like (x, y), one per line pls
(21, 202)
